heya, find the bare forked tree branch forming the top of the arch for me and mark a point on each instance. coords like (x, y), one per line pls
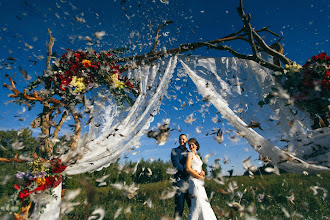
(250, 35)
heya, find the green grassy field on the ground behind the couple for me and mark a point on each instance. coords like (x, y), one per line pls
(288, 196)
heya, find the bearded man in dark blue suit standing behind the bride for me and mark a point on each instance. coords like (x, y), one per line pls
(179, 157)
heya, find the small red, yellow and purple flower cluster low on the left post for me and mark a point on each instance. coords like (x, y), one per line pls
(42, 176)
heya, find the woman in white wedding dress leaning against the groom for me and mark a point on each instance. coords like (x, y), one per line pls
(200, 207)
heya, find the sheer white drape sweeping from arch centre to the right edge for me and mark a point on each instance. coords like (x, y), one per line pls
(235, 85)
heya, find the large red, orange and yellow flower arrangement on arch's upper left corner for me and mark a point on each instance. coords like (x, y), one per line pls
(76, 72)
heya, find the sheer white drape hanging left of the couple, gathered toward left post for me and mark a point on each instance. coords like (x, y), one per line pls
(120, 130)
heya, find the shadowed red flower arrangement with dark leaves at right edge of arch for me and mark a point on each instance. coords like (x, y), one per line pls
(309, 87)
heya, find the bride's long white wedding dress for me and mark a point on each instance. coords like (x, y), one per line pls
(200, 207)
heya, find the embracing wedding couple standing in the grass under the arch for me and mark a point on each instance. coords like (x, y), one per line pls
(189, 181)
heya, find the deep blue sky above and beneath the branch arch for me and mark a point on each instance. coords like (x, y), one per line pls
(23, 35)
